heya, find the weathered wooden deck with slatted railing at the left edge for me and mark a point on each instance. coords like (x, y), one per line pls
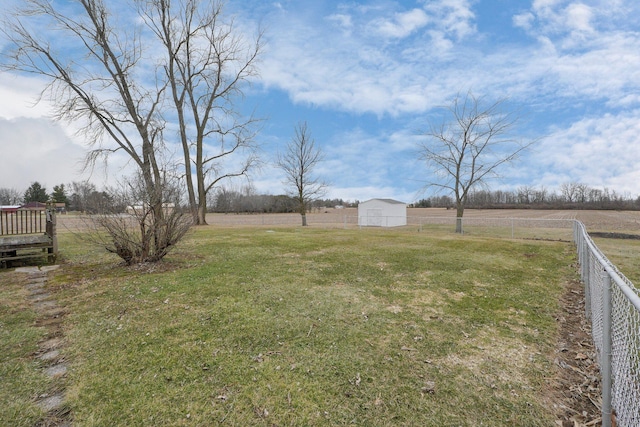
(28, 234)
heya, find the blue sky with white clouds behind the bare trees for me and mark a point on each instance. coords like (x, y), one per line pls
(368, 78)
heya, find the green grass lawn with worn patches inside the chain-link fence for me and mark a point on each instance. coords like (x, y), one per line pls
(291, 326)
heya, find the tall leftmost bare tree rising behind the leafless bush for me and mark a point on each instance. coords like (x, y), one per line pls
(97, 64)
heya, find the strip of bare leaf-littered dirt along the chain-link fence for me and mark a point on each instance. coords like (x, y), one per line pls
(576, 392)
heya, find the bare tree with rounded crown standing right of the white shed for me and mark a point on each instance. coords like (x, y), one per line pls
(469, 148)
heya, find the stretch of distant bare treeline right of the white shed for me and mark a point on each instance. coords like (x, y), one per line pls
(569, 196)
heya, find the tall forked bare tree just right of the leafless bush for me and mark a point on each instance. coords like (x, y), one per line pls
(207, 63)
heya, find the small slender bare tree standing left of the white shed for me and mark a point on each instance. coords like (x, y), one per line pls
(298, 163)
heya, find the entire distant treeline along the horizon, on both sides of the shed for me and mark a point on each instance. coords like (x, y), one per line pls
(85, 197)
